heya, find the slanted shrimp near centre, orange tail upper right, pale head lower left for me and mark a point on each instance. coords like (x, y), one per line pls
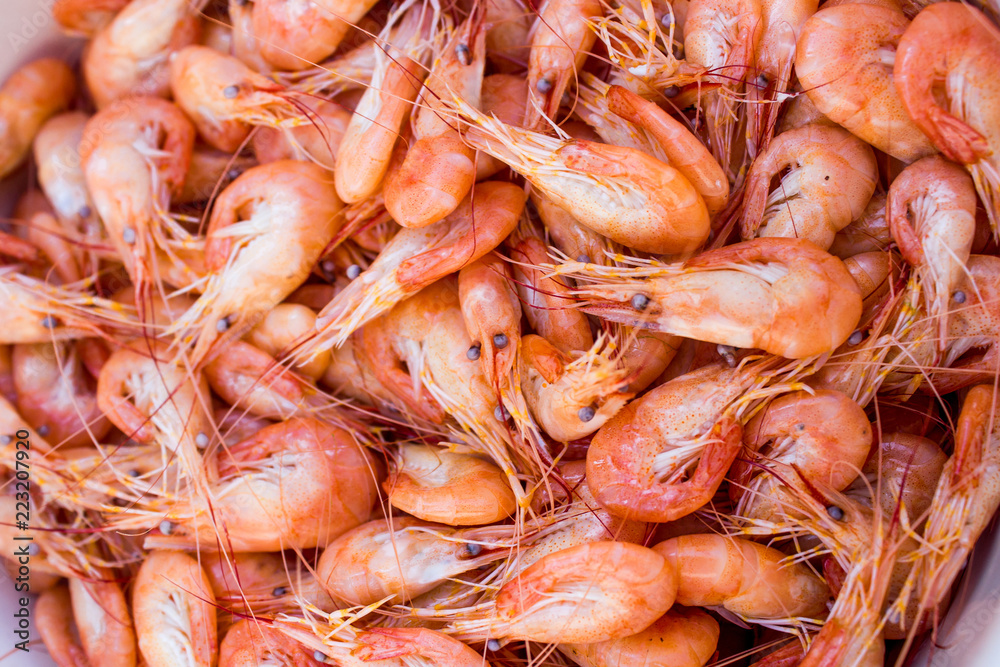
(414, 259)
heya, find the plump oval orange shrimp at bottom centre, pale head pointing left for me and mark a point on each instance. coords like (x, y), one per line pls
(584, 594)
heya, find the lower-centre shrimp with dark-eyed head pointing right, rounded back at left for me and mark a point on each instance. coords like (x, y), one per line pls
(400, 559)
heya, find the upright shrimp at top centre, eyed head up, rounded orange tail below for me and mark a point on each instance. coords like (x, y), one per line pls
(439, 168)
